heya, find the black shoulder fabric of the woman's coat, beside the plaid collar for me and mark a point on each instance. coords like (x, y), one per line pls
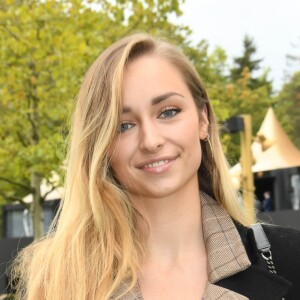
(256, 282)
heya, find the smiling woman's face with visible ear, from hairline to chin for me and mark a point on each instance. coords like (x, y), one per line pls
(157, 151)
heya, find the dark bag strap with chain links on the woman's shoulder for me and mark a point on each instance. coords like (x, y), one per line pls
(263, 246)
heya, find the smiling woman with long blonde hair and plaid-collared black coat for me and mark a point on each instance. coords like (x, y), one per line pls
(149, 210)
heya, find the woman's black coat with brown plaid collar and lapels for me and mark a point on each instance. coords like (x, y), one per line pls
(235, 269)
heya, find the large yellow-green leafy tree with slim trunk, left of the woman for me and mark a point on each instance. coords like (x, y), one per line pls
(46, 46)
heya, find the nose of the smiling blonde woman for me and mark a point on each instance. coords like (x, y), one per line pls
(151, 138)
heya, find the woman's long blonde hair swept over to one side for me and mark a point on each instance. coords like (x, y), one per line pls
(96, 243)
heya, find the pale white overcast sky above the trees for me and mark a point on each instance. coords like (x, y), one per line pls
(273, 24)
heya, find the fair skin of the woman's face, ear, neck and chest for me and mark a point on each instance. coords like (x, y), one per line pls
(156, 157)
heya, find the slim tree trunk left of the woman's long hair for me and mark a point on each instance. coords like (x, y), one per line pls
(36, 207)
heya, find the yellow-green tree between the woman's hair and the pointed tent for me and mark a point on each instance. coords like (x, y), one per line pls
(230, 96)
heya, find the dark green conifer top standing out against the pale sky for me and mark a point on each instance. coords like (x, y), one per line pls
(252, 65)
